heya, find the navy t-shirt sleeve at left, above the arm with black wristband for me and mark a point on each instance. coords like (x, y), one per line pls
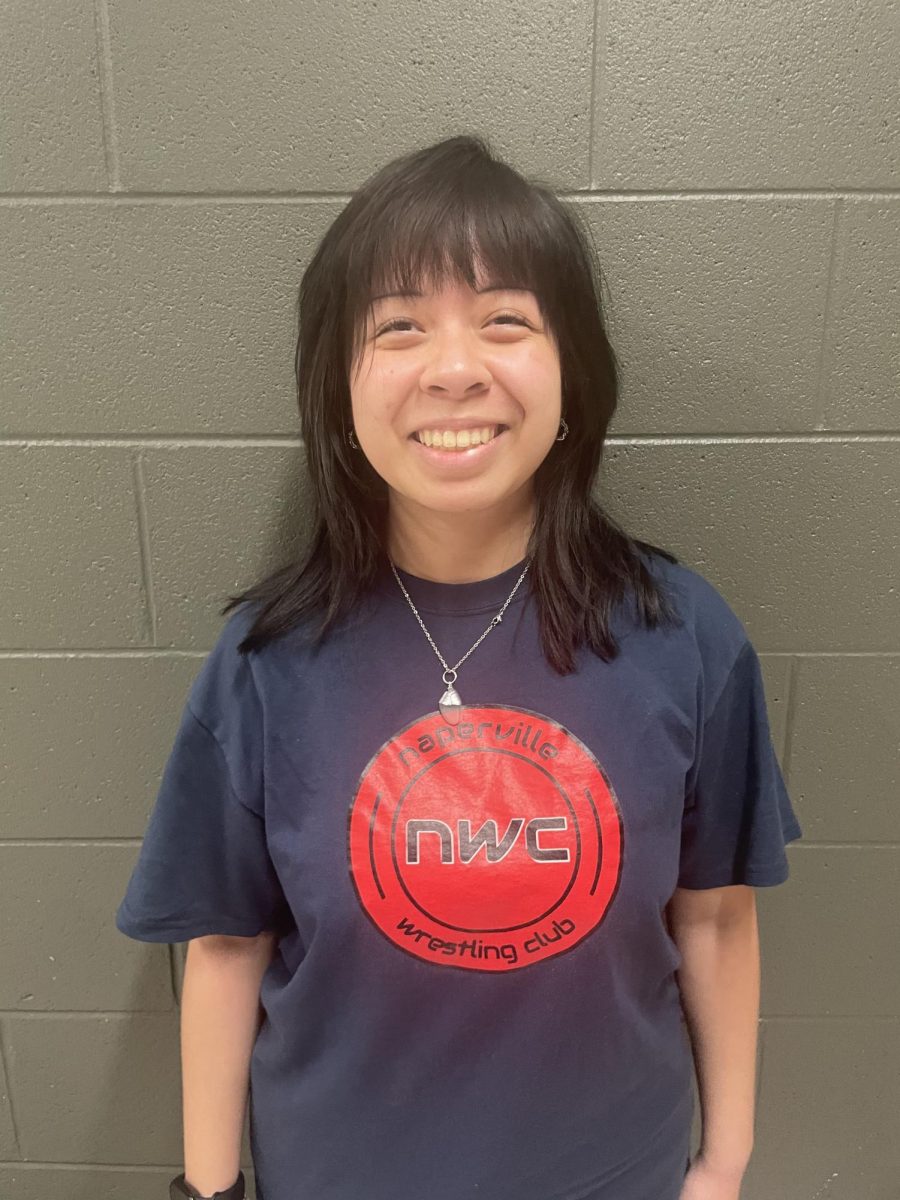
(205, 865)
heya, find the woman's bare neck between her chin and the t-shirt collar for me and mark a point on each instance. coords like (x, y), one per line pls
(458, 548)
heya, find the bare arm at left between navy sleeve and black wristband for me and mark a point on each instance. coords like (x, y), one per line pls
(220, 1021)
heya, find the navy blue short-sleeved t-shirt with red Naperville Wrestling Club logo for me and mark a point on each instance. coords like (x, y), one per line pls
(475, 988)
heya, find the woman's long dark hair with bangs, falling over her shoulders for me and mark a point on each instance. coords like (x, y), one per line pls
(429, 218)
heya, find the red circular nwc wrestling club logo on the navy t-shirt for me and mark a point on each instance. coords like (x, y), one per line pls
(488, 845)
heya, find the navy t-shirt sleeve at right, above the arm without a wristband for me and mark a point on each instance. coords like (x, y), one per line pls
(739, 817)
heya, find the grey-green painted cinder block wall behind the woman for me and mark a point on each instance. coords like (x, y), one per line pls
(167, 171)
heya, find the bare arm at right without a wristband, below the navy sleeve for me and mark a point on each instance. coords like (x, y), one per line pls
(717, 934)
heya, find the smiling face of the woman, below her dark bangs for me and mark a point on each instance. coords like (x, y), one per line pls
(447, 362)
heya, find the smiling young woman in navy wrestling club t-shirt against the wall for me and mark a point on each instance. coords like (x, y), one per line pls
(467, 806)
